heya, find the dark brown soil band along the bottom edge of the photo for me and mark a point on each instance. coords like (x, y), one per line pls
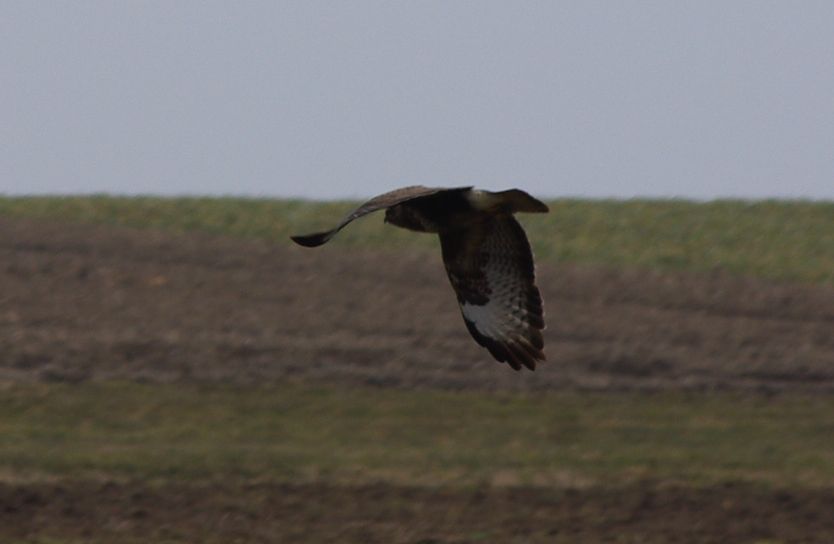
(642, 513)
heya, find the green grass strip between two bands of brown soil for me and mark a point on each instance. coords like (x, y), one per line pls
(298, 433)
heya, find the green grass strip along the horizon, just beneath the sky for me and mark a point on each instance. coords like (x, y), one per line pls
(780, 240)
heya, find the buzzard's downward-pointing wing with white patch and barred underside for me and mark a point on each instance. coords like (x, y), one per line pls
(490, 265)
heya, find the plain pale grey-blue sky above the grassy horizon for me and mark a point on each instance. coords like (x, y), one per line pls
(346, 99)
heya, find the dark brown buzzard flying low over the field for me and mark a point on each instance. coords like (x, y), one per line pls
(487, 258)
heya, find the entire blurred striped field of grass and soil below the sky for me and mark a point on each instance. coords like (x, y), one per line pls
(175, 370)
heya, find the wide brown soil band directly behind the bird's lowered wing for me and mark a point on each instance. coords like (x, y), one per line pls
(80, 302)
